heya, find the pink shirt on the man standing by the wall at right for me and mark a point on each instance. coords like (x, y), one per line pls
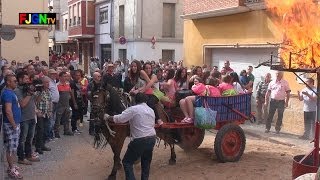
(278, 89)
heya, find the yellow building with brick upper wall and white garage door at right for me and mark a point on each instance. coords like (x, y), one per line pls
(242, 32)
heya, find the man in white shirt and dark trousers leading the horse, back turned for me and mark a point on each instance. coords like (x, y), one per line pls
(142, 120)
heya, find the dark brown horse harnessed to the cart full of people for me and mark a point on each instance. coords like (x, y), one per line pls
(109, 101)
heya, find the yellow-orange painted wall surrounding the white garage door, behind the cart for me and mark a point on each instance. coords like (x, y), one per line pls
(246, 28)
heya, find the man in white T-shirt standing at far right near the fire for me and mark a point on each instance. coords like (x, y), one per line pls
(309, 99)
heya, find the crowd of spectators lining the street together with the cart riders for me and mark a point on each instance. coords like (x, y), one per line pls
(38, 99)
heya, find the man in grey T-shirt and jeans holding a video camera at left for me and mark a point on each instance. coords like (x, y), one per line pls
(26, 99)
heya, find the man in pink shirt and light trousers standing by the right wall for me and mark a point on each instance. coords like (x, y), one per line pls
(279, 92)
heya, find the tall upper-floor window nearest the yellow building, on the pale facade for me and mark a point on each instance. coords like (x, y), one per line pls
(168, 21)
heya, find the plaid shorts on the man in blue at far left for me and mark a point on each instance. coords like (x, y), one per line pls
(11, 137)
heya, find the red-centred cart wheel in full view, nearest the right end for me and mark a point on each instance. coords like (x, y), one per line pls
(229, 143)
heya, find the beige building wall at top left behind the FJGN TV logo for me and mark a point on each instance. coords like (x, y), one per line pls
(30, 40)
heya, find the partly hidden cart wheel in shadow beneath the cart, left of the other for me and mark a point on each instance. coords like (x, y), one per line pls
(191, 138)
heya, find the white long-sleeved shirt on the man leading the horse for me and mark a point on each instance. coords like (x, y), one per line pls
(141, 119)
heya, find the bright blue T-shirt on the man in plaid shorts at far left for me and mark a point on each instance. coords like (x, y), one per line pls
(9, 96)
